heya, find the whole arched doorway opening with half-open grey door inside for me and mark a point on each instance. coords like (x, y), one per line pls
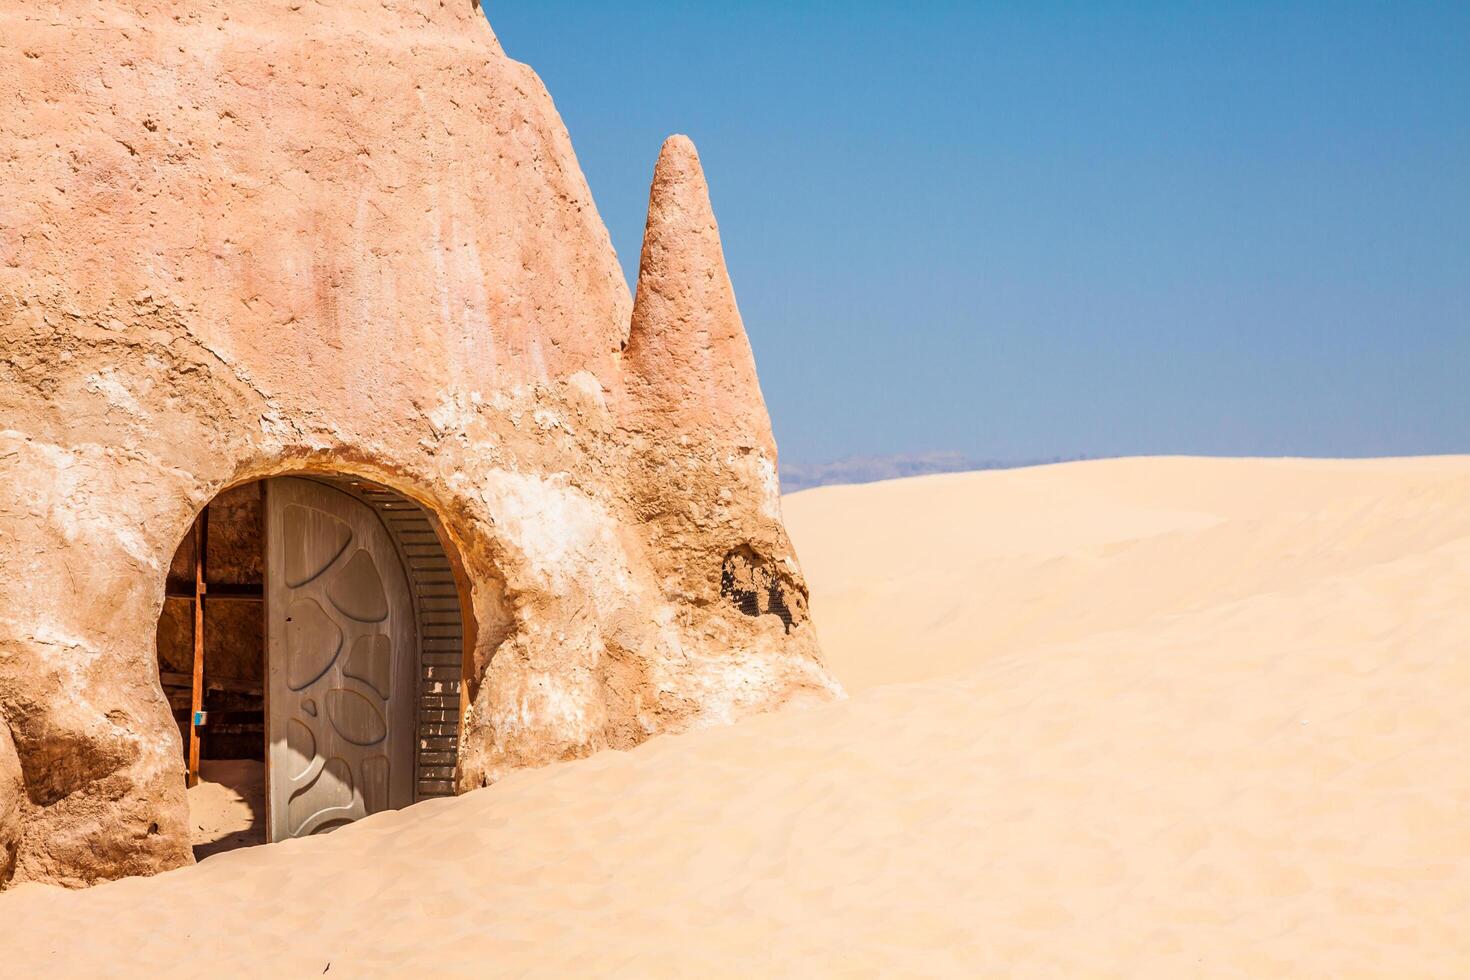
(312, 649)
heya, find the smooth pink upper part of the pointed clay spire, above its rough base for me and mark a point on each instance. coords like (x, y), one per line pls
(687, 350)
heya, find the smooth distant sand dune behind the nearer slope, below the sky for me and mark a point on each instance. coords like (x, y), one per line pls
(930, 577)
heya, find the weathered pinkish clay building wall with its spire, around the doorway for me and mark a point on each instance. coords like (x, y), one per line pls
(351, 236)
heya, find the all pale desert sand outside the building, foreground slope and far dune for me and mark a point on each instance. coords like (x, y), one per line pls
(1137, 718)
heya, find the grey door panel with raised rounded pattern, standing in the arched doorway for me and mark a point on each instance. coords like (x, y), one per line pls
(342, 662)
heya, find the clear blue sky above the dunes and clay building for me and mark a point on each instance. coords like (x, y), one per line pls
(1044, 230)
